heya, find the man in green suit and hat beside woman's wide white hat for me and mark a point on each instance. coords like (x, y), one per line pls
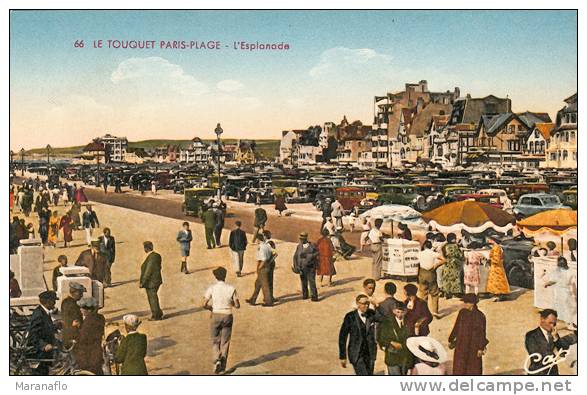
(392, 334)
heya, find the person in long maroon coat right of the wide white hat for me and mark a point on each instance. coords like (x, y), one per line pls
(468, 338)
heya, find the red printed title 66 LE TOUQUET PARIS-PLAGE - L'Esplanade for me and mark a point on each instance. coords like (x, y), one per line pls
(187, 45)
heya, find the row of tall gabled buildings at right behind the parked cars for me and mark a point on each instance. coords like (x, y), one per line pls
(419, 126)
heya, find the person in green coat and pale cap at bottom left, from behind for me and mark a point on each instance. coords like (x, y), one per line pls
(132, 349)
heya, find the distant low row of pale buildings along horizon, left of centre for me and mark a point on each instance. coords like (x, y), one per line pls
(108, 149)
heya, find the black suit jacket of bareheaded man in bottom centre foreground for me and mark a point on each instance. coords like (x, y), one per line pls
(360, 337)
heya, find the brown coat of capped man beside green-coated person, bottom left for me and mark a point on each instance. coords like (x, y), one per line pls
(88, 349)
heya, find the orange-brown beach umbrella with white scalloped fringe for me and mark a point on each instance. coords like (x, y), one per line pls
(472, 216)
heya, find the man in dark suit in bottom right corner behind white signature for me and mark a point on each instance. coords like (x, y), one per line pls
(544, 342)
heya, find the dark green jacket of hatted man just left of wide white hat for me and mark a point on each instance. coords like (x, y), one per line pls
(389, 331)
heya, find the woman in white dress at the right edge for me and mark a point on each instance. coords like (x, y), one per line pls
(564, 284)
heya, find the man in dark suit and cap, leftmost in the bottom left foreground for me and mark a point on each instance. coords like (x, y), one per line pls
(42, 331)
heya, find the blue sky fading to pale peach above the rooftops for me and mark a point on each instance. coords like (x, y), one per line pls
(336, 62)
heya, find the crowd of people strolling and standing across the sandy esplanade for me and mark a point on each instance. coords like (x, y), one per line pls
(398, 326)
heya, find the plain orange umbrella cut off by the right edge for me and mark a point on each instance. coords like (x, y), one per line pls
(558, 222)
